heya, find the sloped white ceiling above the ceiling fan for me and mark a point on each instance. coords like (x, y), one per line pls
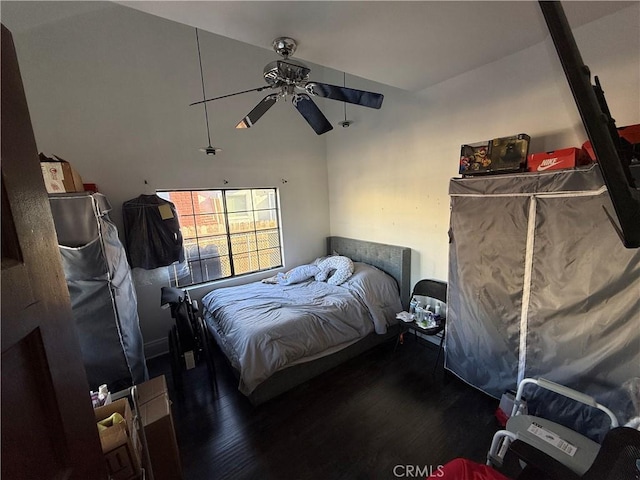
(410, 45)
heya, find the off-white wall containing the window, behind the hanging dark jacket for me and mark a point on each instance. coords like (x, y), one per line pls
(109, 91)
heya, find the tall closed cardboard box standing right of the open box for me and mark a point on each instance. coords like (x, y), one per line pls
(162, 444)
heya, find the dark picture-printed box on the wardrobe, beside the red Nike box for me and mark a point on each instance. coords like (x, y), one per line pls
(500, 155)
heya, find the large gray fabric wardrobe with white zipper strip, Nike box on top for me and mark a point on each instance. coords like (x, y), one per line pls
(541, 285)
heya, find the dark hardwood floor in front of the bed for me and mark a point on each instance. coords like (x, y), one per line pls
(381, 415)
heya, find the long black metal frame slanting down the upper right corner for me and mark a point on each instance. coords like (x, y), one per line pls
(599, 125)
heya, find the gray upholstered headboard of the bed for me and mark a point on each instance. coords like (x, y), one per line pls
(392, 259)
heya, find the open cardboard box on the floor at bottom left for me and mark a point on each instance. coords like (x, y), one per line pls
(120, 443)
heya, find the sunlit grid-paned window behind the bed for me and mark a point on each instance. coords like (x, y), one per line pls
(226, 233)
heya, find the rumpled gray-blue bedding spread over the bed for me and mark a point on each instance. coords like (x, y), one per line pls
(265, 328)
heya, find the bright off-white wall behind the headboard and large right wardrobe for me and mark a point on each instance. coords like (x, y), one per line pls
(389, 173)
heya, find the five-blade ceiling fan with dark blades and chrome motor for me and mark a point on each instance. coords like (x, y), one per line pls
(290, 78)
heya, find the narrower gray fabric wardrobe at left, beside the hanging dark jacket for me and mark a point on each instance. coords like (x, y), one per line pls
(103, 298)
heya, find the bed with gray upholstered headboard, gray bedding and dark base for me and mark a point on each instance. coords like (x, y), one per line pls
(279, 336)
